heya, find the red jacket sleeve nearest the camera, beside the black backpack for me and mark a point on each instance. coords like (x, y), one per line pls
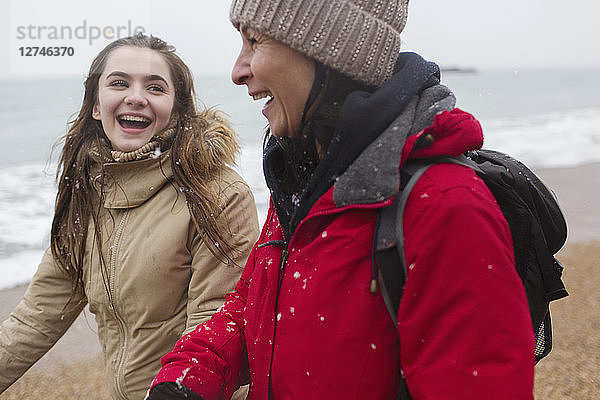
(464, 323)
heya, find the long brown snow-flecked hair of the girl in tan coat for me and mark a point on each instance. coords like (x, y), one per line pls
(78, 202)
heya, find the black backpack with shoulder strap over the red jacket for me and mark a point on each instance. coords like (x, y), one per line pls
(536, 223)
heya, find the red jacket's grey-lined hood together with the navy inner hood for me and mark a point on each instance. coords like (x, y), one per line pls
(411, 115)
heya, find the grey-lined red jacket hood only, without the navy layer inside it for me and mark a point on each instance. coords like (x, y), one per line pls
(428, 127)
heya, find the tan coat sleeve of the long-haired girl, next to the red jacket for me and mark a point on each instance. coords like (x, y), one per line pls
(211, 279)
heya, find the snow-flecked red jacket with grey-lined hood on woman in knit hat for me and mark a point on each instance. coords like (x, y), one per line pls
(302, 322)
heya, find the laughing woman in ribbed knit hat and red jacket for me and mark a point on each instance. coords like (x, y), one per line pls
(345, 111)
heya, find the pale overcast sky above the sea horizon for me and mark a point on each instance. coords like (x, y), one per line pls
(482, 34)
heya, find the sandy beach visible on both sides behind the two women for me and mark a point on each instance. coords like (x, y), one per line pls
(73, 368)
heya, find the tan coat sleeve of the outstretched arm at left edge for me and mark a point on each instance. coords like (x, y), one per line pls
(38, 321)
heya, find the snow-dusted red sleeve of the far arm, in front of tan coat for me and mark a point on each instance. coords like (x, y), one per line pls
(212, 359)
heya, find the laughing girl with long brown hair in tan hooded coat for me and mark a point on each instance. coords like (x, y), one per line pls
(151, 227)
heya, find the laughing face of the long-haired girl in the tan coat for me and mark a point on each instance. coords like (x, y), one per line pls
(135, 97)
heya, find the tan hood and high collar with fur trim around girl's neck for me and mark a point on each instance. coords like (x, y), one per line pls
(210, 147)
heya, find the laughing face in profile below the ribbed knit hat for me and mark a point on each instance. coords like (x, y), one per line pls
(272, 69)
